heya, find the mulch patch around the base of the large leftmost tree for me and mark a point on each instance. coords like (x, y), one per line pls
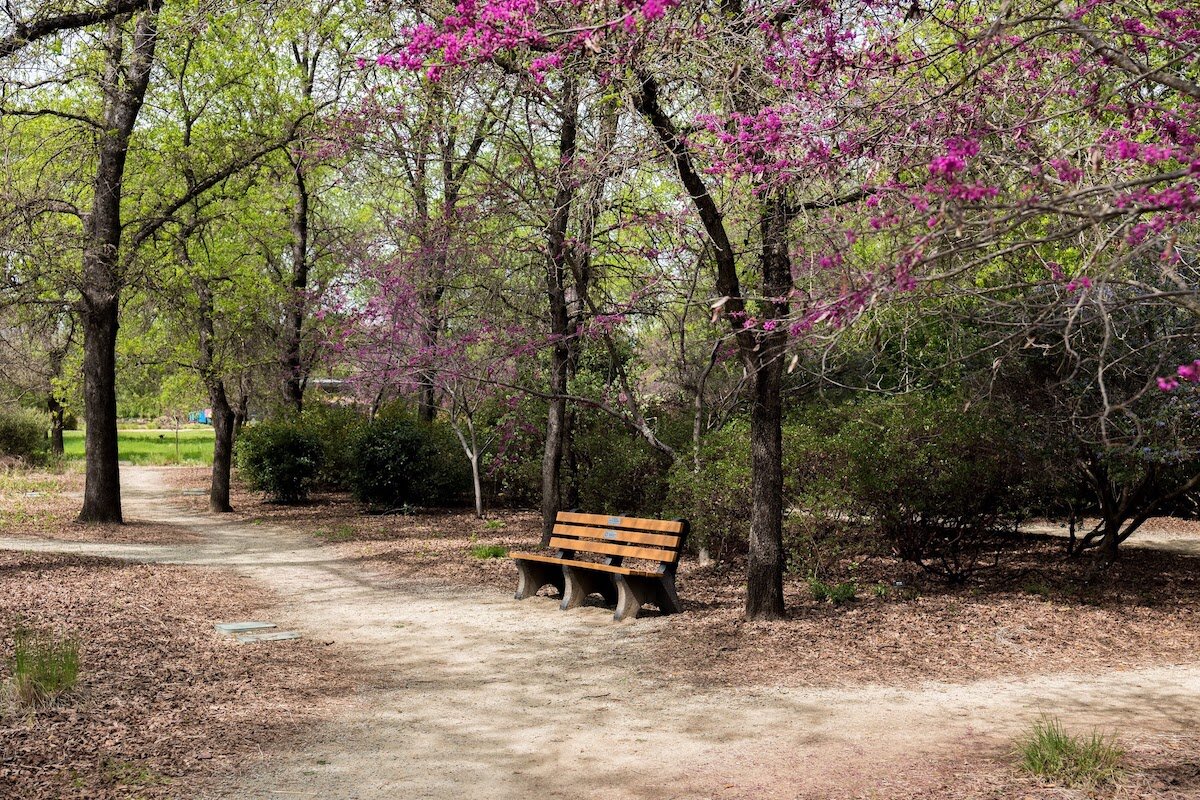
(45, 506)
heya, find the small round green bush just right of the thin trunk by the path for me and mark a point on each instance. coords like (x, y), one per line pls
(280, 458)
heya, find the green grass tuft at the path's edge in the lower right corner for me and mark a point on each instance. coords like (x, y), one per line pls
(1076, 762)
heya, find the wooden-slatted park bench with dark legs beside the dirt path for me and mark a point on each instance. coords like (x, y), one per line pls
(652, 545)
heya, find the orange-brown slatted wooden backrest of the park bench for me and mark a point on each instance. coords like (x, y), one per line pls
(621, 538)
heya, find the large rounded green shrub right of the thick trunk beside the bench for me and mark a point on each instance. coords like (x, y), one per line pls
(944, 484)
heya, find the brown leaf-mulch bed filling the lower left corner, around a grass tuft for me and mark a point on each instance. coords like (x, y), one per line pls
(164, 702)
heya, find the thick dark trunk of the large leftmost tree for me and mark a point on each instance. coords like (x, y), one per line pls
(125, 86)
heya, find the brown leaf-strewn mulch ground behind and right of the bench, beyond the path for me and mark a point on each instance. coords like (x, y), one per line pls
(1037, 613)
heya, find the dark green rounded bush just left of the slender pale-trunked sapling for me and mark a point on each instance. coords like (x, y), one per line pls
(400, 461)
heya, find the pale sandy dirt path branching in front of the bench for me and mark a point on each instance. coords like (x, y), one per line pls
(467, 695)
